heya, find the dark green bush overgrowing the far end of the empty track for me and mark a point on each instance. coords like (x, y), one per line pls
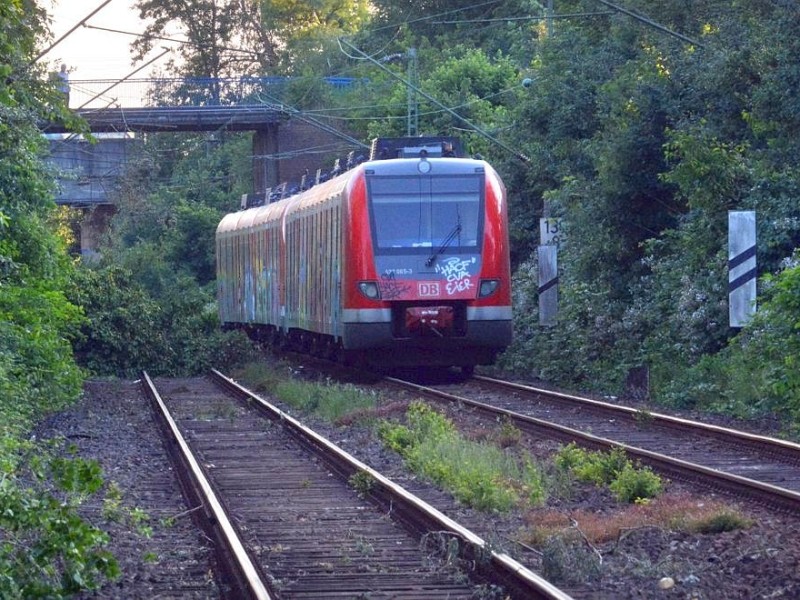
(150, 320)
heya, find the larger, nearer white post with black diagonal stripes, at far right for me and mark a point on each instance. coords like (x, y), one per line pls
(741, 266)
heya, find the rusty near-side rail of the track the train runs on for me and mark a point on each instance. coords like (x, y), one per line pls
(766, 493)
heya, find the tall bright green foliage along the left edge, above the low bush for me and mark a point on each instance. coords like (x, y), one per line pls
(35, 357)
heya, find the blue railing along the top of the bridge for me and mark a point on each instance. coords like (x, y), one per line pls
(188, 91)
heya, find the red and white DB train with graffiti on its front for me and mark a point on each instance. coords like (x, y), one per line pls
(397, 262)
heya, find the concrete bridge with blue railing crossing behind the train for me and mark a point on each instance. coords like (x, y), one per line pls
(119, 113)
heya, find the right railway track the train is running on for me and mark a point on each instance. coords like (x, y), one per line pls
(740, 463)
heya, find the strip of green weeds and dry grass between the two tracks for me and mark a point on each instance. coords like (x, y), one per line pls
(497, 475)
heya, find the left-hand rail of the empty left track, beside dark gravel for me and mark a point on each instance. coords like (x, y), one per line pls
(243, 573)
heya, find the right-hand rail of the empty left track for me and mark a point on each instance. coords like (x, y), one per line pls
(417, 514)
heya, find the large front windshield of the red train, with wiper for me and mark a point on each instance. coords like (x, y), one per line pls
(426, 212)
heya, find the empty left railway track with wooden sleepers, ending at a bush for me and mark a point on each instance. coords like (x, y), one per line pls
(291, 529)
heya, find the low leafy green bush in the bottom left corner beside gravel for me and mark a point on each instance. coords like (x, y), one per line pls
(47, 550)
